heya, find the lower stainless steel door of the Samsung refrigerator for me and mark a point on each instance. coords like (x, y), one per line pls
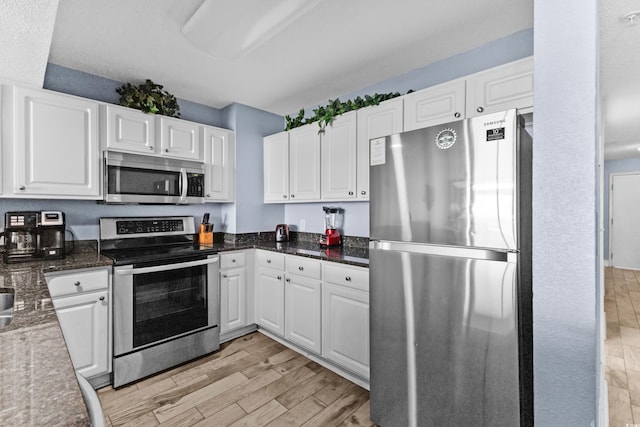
(444, 340)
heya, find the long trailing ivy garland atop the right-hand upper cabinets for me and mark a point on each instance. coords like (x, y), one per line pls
(324, 115)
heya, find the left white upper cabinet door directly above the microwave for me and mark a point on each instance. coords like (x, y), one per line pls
(128, 130)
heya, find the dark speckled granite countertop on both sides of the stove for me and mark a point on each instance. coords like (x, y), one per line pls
(39, 386)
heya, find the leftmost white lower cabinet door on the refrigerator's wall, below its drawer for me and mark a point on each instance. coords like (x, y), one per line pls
(270, 300)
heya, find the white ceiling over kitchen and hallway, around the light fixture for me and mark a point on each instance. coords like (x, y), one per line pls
(337, 47)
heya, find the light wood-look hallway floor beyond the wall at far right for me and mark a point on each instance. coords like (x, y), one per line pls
(622, 346)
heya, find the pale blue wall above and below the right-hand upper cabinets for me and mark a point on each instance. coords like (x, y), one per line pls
(498, 52)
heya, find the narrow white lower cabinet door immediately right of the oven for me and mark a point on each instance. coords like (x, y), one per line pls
(233, 297)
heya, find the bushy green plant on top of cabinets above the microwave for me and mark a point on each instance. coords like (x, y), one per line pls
(149, 97)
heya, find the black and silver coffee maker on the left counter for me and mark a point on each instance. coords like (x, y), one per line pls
(33, 235)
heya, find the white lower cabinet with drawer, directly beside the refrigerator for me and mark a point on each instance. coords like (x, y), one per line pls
(345, 317)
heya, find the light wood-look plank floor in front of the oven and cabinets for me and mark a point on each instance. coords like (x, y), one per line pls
(251, 381)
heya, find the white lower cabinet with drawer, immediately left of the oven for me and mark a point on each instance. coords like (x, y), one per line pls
(82, 303)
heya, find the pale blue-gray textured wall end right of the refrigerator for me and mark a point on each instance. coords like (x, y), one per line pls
(566, 298)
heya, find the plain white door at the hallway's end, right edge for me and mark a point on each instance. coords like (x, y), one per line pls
(624, 221)
